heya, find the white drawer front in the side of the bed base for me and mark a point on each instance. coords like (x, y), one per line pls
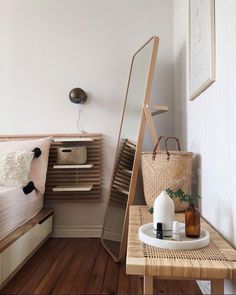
(15, 254)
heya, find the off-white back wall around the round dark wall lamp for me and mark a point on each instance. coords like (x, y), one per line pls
(49, 47)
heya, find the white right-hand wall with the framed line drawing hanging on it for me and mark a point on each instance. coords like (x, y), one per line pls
(208, 124)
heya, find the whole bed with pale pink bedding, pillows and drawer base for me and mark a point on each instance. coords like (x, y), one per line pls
(24, 223)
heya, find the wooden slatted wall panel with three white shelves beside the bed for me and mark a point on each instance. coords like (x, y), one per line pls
(75, 182)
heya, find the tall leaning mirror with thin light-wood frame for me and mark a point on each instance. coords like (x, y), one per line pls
(128, 153)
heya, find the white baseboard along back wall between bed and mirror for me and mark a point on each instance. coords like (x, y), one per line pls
(77, 232)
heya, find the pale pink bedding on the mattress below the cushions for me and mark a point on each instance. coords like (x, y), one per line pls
(17, 208)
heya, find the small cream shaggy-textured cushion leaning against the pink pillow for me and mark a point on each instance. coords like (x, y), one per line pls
(15, 168)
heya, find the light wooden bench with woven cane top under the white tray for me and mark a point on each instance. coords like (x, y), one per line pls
(215, 262)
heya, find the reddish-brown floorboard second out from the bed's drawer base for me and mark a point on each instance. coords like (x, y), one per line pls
(40, 272)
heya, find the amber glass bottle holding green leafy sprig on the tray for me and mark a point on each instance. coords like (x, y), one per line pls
(192, 214)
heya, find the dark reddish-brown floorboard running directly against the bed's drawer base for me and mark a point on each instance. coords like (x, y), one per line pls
(24, 274)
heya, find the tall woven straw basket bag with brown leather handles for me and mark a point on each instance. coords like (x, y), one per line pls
(166, 169)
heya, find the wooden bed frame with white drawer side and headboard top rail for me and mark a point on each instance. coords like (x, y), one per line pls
(20, 245)
